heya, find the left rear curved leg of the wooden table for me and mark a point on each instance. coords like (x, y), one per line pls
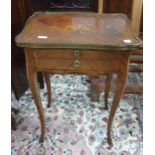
(48, 84)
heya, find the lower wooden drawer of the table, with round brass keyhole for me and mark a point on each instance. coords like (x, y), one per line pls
(81, 64)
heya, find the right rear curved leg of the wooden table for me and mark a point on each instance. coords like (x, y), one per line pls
(107, 89)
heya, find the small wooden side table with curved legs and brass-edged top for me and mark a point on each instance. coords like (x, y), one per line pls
(85, 43)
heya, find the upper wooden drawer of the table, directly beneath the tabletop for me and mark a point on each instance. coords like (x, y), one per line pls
(75, 53)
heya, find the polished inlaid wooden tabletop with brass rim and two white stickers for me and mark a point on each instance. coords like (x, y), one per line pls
(81, 30)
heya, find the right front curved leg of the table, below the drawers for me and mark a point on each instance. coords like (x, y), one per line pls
(117, 97)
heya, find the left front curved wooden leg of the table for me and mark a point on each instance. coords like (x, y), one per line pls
(33, 84)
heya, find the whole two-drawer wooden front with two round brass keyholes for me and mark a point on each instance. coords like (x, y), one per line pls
(76, 59)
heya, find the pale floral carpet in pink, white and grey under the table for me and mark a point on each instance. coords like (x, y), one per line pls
(74, 124)
